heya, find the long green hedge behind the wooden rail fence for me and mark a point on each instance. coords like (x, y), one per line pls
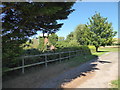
(61, 46)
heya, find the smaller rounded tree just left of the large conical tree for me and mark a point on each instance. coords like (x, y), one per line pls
(82, 34)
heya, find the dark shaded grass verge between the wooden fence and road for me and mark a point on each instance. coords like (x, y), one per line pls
(68, 64)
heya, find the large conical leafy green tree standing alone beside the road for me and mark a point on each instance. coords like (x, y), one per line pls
(101, 31)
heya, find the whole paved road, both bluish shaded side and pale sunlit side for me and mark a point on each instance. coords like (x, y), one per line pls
(93, 74)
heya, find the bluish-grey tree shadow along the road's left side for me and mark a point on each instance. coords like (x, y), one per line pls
(69, 75)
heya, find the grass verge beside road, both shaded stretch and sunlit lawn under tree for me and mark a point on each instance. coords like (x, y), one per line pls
(76, 61)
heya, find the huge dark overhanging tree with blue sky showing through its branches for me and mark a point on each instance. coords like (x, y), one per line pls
(23, 19)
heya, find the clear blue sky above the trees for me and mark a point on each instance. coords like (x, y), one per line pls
(84, 10)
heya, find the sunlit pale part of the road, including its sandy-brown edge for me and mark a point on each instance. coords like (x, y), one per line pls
(106, 71)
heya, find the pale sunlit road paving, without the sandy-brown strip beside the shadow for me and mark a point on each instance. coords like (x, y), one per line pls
(108, 70)
